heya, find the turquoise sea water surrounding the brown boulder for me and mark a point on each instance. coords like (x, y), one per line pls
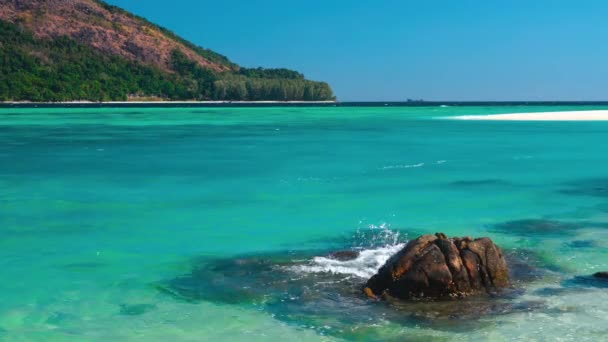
(213, 224)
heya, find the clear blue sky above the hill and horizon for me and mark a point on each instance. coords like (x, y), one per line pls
(394, 50)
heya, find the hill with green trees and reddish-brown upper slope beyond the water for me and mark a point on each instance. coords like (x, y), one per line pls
(71, 50)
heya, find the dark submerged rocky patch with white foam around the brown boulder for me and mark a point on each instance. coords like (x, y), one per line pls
(323, 289)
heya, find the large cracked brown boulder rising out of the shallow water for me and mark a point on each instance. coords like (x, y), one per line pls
(435, 267)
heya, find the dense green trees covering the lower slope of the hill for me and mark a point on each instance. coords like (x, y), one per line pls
(62, 69)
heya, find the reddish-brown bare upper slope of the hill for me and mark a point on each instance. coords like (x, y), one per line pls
(106, 28)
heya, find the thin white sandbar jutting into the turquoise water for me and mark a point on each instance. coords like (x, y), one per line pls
(589, 115)
